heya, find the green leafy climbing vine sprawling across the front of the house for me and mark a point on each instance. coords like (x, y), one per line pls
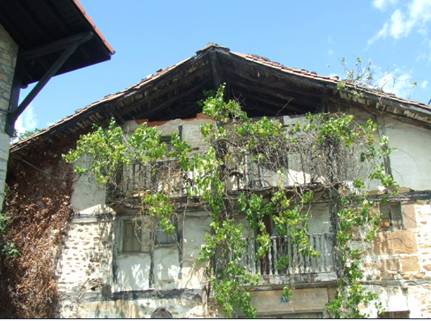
(322, 157)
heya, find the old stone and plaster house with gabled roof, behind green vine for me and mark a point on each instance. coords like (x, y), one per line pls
(101, 270)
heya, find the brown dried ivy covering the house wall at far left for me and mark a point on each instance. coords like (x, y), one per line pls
(38, 211)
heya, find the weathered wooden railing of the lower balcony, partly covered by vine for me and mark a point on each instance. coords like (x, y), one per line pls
(285, 259)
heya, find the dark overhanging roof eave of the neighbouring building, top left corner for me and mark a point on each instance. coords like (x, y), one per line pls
(33, 24)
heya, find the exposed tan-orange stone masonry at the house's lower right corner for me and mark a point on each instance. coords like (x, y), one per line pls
(398, 266)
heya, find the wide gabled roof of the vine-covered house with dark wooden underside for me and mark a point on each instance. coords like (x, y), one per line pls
(263, 87)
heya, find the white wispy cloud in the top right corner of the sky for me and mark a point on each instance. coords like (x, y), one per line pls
(414, 15)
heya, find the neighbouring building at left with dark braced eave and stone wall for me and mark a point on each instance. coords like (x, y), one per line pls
(39, 40)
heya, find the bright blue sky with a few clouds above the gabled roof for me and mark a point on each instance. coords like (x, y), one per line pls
(395, 35)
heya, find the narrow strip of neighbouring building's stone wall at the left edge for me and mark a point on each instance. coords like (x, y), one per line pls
(8, 54)
